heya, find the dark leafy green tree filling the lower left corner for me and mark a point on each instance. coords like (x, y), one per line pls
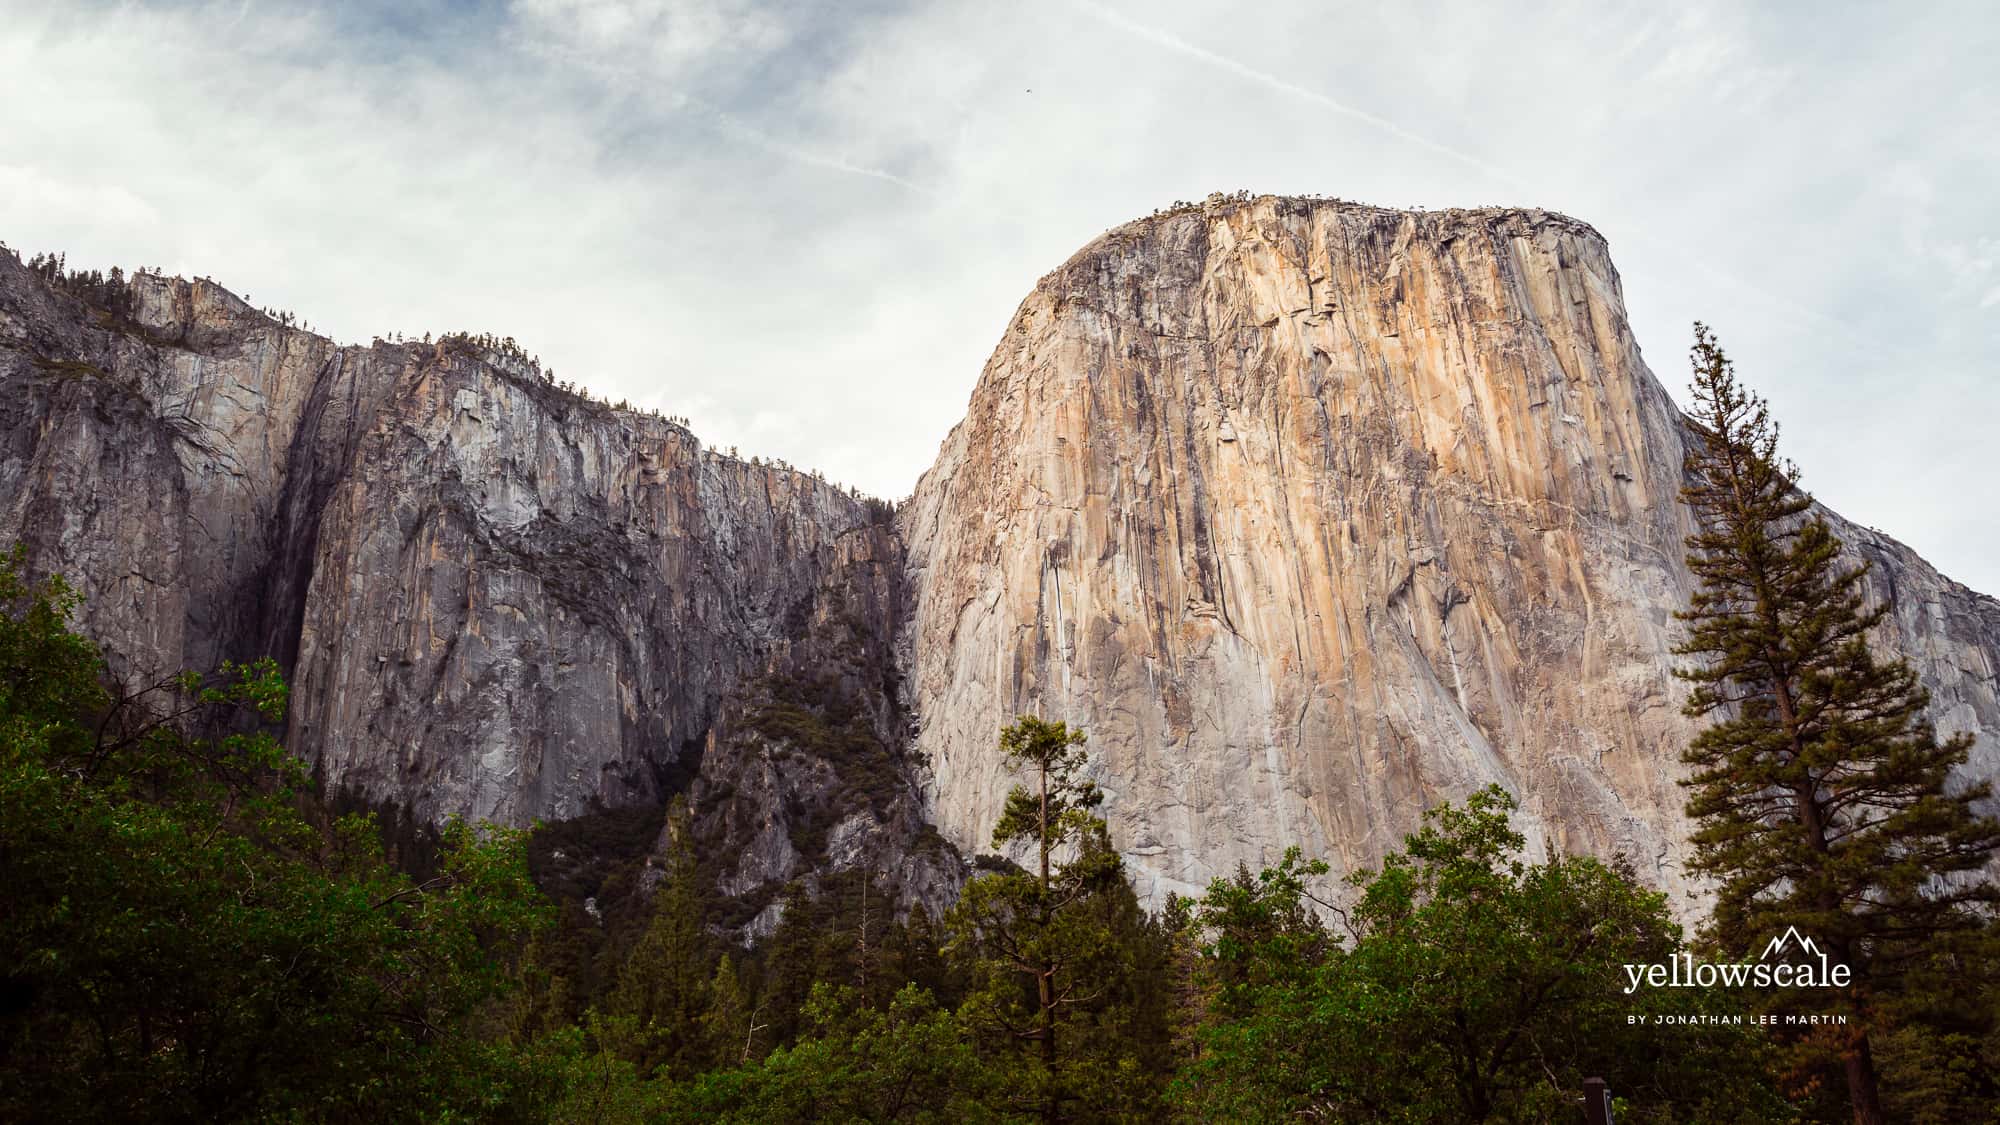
(187, 938)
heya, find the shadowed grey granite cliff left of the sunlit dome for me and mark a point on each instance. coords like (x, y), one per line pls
(493, 598)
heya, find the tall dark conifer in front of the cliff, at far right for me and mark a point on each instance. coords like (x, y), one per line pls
(1821, 788)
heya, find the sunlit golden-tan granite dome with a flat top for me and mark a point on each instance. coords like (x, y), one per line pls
(1315, 515)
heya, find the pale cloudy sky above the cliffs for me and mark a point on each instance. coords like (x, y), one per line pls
(805, 225)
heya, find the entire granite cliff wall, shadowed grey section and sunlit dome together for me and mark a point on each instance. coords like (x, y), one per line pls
(1311, 513)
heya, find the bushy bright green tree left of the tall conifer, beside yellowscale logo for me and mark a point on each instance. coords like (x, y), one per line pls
(1477, 988)
